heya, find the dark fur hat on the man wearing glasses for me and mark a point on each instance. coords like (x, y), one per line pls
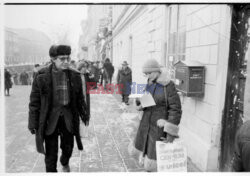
(57, 50)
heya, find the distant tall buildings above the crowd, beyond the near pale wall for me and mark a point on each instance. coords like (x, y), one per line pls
(94, 42)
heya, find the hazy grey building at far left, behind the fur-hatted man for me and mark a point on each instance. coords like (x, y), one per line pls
(25, 46)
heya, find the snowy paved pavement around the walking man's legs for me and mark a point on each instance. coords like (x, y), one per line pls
(105, 147)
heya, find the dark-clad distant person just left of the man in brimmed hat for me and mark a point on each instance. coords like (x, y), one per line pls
(108, 71)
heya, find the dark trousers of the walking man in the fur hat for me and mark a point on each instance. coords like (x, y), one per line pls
(51, 146)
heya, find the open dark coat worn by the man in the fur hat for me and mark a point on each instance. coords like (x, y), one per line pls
(41, 104)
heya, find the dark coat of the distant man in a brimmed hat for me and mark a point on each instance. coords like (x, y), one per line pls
(124, 78)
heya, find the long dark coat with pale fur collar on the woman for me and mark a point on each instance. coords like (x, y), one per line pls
(148, 132)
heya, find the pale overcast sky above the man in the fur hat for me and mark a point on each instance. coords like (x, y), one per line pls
(51, 19)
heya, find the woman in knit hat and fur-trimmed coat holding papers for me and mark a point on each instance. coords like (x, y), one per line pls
(161, 108)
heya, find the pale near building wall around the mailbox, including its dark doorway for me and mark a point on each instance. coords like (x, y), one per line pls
(203, 33)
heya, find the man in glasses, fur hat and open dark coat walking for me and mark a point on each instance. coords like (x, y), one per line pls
(56, 103)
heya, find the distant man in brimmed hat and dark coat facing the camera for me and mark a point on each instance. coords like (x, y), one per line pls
(124, 79)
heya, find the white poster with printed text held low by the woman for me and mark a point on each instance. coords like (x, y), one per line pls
(171, 157)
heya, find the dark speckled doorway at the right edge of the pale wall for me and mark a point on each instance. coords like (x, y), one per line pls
(236, 78)
